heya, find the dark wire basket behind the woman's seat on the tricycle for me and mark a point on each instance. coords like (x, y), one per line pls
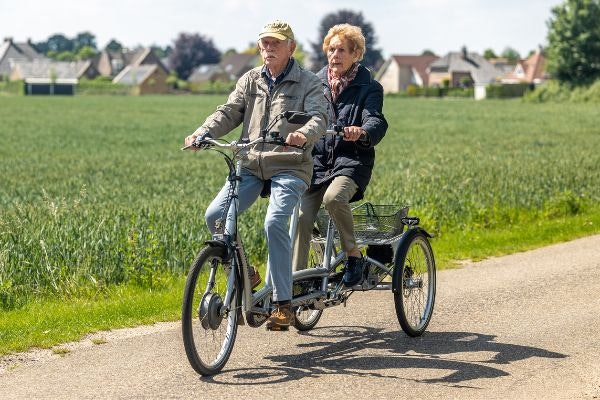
(373, 224)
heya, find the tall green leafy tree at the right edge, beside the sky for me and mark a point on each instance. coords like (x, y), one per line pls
(574, 42)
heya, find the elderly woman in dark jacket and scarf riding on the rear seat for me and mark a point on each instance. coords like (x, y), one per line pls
(343, 164)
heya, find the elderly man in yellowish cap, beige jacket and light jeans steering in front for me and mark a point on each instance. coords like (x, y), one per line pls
(260, 95)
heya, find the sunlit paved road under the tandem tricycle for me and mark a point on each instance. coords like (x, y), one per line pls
(522, 326)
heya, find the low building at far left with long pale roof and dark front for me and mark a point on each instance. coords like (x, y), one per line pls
(51, 77)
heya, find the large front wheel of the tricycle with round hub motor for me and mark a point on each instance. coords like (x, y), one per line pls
(208, 325)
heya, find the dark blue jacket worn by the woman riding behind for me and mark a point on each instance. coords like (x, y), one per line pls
(360, 104)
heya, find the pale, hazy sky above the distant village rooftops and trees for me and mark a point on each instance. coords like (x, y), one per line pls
(401, 26)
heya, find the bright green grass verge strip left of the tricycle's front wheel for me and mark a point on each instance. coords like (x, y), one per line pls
(46, 323)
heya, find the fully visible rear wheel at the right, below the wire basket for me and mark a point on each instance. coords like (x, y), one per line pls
(414, 283)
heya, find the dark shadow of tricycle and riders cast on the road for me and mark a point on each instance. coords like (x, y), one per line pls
(456, 357)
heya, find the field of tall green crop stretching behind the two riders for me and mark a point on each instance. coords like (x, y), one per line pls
(94, 191)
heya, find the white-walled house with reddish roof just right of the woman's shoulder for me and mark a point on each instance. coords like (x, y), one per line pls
(400, 71)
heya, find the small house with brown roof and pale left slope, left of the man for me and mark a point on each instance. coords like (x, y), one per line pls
(144, 79)
